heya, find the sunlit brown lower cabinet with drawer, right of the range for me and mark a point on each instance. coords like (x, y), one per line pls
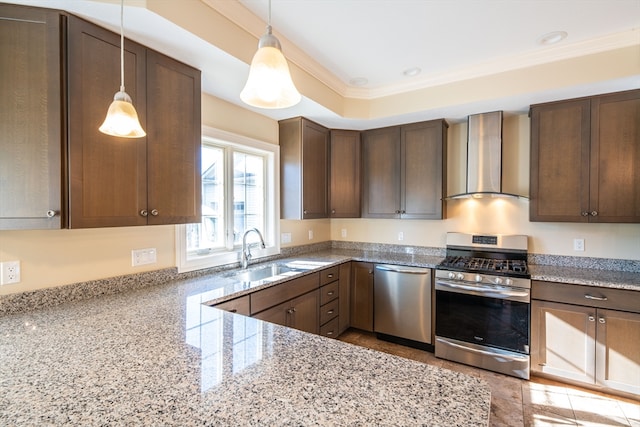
(577, 334)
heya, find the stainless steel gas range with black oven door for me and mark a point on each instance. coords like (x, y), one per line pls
(483, 303)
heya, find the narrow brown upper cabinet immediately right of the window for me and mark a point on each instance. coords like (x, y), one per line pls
(304, 169)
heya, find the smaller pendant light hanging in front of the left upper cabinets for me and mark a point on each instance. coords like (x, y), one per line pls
(122, 119)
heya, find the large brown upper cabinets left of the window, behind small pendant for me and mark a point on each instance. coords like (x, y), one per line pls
(63, 172)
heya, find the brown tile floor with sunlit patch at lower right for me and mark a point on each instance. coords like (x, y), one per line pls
(515, 402)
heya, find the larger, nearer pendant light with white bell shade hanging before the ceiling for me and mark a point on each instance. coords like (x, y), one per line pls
(269, 84)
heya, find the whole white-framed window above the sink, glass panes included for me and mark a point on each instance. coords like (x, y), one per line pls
(239, 191)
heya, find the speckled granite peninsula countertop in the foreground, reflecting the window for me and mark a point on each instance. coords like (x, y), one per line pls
(158, 356)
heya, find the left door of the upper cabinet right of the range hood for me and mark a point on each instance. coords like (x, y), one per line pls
(559, 175)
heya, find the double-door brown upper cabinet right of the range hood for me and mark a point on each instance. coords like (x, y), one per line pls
(585, 159)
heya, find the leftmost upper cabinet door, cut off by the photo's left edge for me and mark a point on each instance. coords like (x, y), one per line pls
(31, 174)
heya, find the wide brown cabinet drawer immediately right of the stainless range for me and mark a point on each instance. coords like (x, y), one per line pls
(591, 296)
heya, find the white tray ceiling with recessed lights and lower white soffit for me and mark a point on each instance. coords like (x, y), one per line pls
(341, 41)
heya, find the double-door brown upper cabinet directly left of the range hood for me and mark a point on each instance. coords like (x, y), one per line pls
(404, 171)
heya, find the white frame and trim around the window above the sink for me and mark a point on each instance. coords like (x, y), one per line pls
(272, 205)
